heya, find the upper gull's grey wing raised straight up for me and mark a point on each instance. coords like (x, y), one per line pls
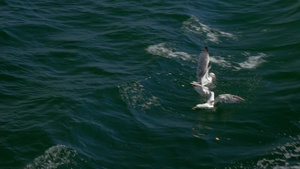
(202, 64)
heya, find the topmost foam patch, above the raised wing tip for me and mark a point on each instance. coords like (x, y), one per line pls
(194, 25)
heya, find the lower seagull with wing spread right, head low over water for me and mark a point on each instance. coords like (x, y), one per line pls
(222, 98)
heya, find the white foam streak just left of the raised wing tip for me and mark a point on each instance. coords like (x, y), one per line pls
(162, 49)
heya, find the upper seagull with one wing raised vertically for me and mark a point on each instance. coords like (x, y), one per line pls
(203, 75)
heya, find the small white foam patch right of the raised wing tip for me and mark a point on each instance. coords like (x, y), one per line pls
(252, 61)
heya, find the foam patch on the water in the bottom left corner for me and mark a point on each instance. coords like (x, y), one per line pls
(54, 157)
